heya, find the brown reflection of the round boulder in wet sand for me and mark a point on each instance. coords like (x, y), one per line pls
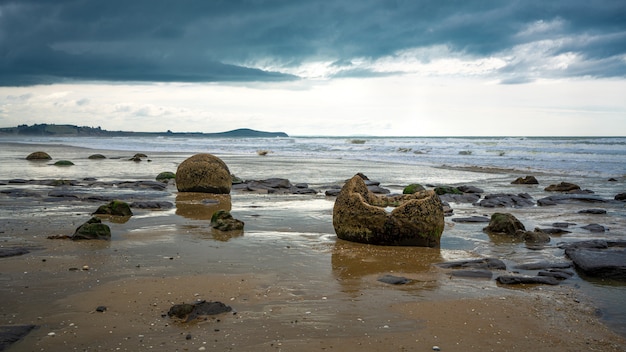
(201, 206)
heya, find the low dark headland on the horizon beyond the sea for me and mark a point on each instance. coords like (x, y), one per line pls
(84, 131)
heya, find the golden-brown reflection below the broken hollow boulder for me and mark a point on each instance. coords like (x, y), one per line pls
(357, 266)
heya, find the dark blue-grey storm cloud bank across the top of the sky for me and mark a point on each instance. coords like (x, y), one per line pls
(196, 40)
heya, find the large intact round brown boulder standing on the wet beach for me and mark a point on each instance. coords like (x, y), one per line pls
(203, 173)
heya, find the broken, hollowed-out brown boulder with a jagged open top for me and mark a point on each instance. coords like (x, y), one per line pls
(360, 216)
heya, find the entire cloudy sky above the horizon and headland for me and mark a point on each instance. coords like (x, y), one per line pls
(317, 67)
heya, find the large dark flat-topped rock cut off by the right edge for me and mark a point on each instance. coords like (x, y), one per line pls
(607, 262)
